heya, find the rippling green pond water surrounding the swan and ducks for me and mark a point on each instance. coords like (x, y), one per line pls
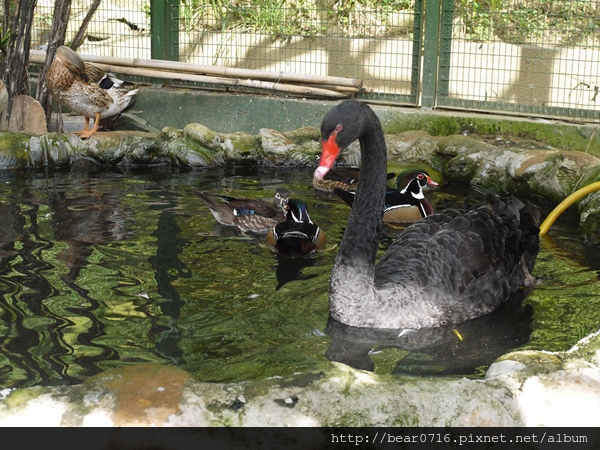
(100, 270)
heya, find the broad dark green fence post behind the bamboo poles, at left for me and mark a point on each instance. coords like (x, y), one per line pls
(164, 22)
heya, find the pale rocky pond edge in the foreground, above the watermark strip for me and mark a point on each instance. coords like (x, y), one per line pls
(524, 388)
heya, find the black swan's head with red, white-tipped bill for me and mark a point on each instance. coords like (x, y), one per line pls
(341, 126)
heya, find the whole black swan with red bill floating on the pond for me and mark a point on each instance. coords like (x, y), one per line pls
(446, 268)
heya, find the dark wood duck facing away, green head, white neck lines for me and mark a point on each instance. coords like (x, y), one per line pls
(296, 235)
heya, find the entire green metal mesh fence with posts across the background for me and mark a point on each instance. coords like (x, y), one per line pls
(528, 57)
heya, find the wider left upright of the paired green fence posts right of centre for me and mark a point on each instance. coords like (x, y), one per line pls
(430, 52)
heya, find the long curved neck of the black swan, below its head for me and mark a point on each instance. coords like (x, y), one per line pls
(352, 278)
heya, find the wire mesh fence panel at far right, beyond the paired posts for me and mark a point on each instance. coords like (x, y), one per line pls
(529, 56)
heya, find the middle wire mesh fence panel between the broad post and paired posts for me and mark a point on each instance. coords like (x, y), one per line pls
(370, 41)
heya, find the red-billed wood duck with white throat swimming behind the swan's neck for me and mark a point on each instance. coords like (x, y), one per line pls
(403, 205)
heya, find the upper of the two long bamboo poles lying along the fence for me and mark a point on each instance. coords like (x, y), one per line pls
(227, 72)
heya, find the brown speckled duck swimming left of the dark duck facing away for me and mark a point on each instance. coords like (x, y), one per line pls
(246, 213)
